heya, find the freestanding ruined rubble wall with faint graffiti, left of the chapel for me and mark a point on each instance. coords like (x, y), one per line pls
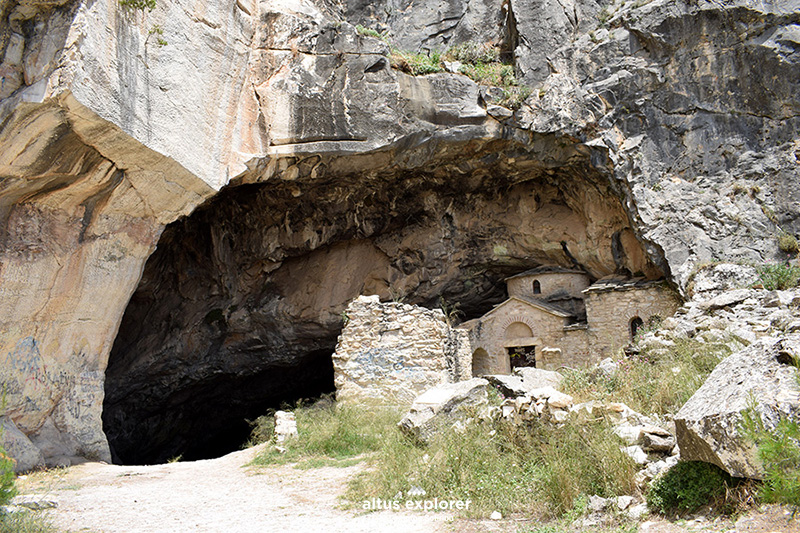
(392, 352)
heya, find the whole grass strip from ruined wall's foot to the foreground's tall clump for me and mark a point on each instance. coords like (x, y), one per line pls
(495, 464)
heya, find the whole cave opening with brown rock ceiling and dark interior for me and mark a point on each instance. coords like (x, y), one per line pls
(240, 306)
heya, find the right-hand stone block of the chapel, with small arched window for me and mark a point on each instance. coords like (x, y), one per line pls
(610, 311)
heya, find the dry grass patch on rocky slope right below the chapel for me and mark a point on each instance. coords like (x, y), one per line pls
(650, 382)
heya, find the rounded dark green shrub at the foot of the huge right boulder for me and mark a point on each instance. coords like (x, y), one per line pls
(687, 487)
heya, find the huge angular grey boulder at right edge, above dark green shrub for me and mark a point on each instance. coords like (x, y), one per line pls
(707, 426)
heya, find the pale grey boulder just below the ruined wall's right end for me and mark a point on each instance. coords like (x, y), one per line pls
(442, 407)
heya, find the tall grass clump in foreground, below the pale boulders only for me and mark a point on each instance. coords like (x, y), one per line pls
(502, 467)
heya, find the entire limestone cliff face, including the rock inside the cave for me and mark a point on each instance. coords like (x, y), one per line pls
(658, 135)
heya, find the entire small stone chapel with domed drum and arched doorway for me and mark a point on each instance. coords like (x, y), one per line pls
(556, 317)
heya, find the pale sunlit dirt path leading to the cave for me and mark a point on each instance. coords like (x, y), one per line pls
(215, 495)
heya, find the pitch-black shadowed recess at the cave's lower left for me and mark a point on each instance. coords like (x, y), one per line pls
(215, 416)
